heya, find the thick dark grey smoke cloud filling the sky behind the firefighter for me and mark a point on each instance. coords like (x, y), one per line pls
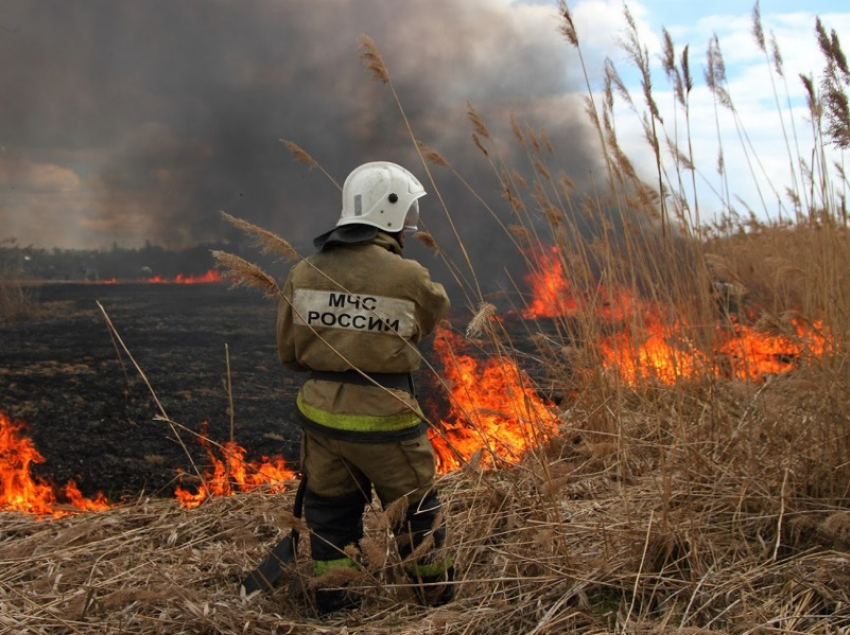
(126, 121)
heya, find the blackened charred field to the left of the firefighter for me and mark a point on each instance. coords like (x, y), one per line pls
(94, 418)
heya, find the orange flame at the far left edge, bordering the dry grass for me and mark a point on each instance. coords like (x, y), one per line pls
(22, 492)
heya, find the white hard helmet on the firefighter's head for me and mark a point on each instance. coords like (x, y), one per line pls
(383, 195)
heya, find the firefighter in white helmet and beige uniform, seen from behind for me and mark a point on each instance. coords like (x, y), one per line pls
(351, 317)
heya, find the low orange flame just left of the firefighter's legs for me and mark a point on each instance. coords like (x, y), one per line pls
(232, 473)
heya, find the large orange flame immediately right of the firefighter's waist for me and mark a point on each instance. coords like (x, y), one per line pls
(494, 410)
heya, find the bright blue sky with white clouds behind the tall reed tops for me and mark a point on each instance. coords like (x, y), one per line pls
(758, 170)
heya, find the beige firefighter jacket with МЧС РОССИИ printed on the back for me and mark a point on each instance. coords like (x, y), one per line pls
(364, 307)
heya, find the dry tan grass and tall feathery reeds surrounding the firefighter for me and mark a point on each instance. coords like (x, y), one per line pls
(706, 505)
